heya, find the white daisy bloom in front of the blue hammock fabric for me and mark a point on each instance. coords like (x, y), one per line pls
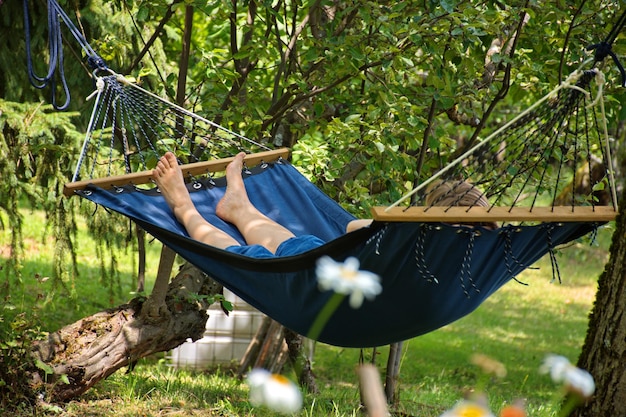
(346, 278)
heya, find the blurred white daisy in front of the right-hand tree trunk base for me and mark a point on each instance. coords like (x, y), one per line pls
(562, 371)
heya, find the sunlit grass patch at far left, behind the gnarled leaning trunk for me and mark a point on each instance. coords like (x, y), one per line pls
(62, 301)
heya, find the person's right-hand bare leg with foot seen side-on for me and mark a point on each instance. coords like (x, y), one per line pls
(236, 208)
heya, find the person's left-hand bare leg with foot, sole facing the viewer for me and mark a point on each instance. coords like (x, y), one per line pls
(169, 178)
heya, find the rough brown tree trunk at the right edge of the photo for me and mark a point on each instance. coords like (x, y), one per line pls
(604, 351)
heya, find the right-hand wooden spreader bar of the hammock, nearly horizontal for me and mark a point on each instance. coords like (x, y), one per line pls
(479, 214)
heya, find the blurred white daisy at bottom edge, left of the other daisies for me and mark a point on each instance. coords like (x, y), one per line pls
(274, 391)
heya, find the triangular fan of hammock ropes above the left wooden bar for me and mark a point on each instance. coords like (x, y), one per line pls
(137, 127)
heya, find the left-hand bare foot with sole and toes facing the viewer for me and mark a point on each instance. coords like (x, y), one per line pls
(169, 179)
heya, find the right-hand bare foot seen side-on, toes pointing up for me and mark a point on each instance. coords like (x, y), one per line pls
(235, 197)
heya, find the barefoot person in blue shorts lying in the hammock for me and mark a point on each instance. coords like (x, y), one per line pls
(264, 237)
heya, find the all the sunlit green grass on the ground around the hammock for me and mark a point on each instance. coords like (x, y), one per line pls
(517, 326)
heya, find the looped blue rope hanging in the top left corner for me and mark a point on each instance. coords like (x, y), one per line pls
(55, 49)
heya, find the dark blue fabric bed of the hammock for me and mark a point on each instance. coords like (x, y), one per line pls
(432, 274)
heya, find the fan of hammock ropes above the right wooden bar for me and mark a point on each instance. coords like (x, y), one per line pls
(546, 131)
